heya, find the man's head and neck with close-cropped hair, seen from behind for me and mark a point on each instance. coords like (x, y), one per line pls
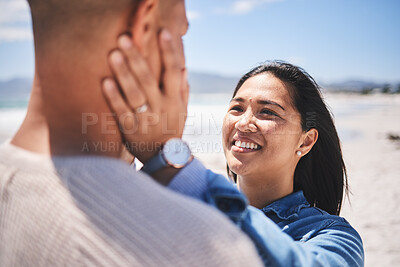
(72, 42)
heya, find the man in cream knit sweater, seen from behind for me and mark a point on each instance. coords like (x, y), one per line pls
(65, 197)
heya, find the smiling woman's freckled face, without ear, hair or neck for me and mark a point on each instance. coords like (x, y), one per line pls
(262, 130)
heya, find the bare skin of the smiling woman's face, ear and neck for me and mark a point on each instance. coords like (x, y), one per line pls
(262, 113)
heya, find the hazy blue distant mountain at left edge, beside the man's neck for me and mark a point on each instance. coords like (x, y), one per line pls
(15, 89)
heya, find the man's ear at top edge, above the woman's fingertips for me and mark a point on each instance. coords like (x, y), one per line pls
(145, 24)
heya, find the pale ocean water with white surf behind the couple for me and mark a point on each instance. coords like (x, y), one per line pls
(204, 121)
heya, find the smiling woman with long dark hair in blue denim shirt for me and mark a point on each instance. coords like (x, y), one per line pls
(283, 151)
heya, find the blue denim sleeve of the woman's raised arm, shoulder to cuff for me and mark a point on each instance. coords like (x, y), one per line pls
(340, 245)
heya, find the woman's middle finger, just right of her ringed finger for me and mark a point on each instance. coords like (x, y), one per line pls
(139, 66)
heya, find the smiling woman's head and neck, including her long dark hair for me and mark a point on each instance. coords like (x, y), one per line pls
(279, 138)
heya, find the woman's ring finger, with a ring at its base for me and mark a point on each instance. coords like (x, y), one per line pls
(126, 79)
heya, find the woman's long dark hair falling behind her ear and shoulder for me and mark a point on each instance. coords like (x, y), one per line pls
(321, 174)
